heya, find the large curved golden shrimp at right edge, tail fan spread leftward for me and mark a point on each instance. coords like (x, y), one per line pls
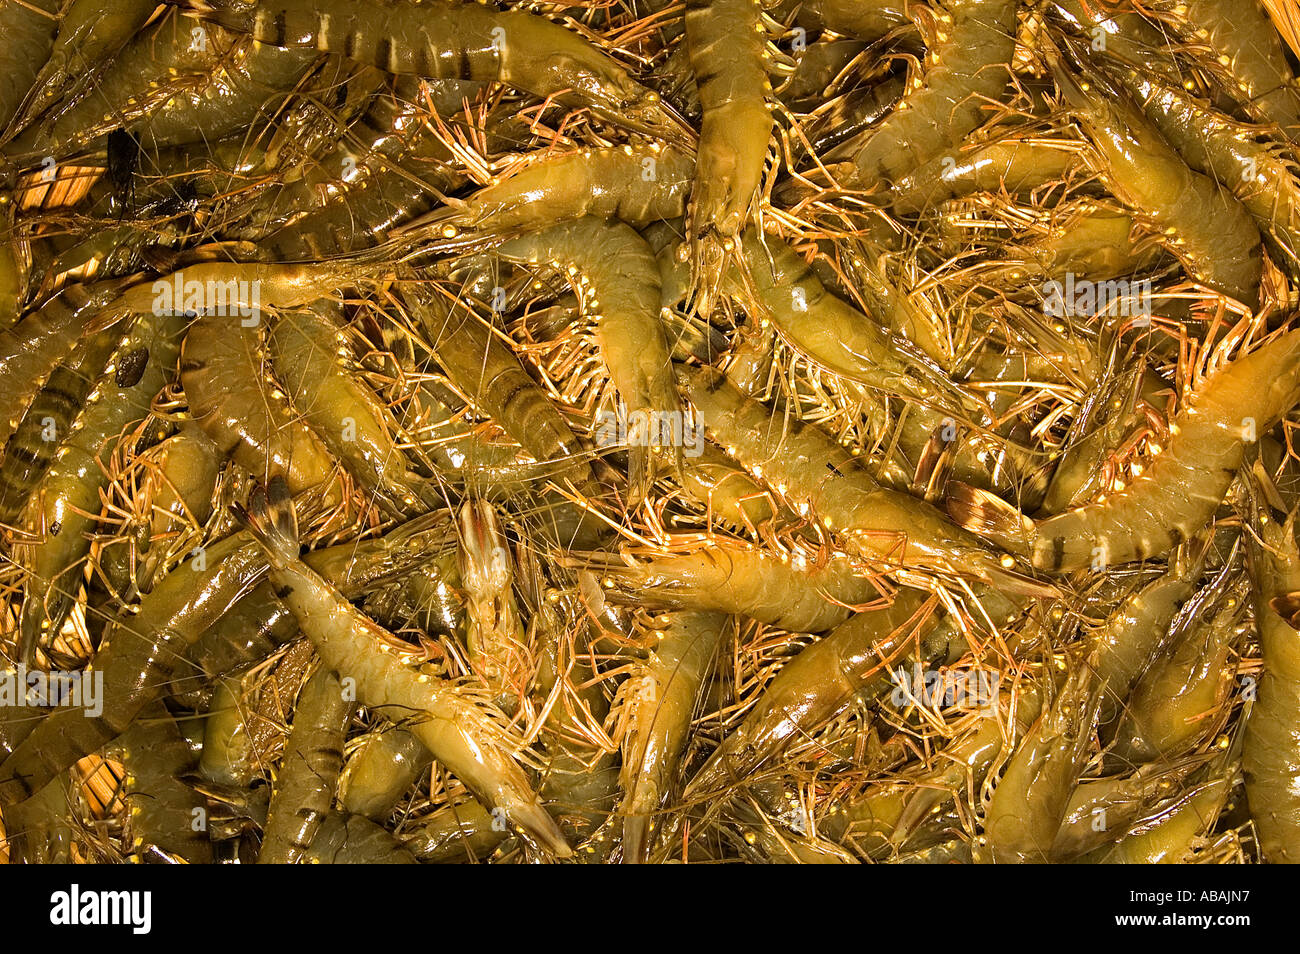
(1178, 492)
